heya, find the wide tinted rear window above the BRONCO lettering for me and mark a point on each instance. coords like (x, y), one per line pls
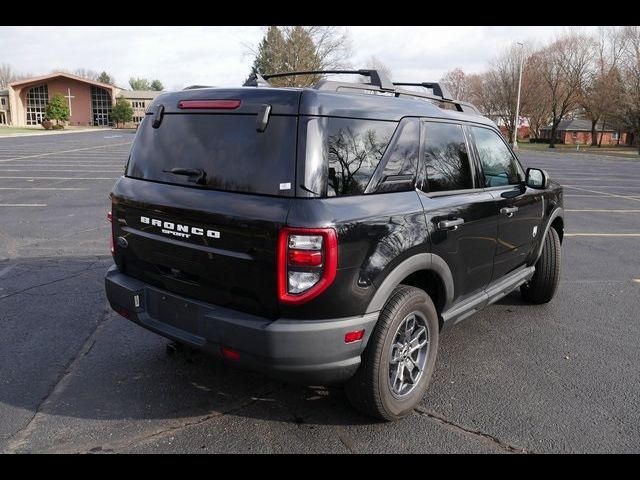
(227, 148)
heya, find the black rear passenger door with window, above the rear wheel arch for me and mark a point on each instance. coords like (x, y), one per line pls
(461, 217)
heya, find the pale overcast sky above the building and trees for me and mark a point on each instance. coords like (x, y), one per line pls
(181, 56)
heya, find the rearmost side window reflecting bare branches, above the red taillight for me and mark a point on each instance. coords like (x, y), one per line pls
(354, 148)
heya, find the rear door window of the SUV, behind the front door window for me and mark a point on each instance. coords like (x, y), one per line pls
(446, 160)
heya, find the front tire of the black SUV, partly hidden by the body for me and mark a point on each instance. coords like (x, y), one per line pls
(544, 283)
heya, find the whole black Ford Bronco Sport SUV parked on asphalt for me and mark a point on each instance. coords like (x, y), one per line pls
(327, 234)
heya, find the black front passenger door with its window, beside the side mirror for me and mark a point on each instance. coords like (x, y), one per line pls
(519, 208)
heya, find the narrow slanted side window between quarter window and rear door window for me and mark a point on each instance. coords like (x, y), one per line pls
(400, 170)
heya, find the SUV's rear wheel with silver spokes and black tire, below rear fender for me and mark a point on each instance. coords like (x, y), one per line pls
(370, 389)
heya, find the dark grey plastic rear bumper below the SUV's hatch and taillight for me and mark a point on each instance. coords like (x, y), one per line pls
(306, 351)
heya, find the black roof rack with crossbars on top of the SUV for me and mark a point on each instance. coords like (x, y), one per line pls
(379, 83)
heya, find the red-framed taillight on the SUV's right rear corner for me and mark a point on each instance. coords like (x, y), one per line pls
(307, 263)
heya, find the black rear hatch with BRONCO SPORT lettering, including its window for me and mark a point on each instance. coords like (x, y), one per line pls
(205, 194)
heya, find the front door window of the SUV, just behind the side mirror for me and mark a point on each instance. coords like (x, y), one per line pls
(499, 166)
